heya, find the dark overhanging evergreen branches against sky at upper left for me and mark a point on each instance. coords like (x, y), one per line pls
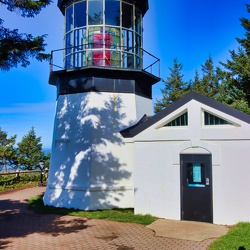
(16, 48)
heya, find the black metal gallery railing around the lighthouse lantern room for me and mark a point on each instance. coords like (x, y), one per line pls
(114, 57)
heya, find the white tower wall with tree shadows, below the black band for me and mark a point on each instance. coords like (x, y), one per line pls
(91, 166)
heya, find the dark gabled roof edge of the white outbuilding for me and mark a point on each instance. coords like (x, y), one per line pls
(143, 124)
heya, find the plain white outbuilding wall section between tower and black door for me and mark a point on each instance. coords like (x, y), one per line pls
(157, 180)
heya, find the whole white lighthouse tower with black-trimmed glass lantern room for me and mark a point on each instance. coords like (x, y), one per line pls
(104, 79)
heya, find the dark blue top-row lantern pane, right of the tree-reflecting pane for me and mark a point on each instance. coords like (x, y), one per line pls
(112, 12)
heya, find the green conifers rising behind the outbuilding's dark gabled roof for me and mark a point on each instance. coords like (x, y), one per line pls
(229, 84)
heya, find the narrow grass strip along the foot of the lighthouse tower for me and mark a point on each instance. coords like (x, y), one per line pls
(121, 215)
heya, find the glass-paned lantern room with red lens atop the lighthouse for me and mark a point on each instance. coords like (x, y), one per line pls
(103, 33)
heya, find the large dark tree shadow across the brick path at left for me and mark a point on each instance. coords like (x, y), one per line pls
(17, 221)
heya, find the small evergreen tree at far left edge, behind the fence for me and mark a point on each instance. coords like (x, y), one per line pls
(8, 156)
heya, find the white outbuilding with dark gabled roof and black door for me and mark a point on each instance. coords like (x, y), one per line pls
(191, 162)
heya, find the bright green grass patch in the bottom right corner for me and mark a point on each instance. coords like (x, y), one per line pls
(238, 238)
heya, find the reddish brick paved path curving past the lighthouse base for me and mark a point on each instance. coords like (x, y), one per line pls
(24, 229)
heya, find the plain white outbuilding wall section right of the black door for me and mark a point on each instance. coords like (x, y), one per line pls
(231, 185)
